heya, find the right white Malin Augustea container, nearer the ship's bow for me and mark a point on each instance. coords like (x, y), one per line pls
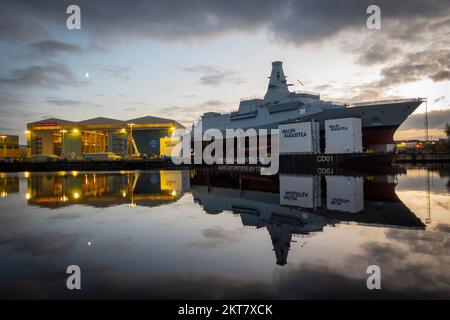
(343, 135)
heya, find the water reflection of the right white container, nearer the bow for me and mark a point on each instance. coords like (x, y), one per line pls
(345, 193)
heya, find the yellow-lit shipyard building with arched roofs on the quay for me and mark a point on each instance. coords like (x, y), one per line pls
(98, 135)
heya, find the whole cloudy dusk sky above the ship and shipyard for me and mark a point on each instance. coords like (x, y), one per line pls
(181, 58)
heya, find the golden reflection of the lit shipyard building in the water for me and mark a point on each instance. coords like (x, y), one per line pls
(107, 189)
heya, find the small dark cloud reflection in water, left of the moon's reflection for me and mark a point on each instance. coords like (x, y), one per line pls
(53, 244)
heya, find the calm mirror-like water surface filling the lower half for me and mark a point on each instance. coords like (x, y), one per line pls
(218, 234)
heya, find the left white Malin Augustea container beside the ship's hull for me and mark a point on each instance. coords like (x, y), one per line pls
(300, 137)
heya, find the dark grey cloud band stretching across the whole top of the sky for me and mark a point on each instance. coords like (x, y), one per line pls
(292, 21)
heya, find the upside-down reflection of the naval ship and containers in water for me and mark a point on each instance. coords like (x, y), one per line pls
(306, 204)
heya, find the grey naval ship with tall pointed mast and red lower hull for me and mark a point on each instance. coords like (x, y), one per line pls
(380, 119)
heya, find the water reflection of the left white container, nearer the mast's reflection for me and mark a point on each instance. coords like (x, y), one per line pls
(300, 191)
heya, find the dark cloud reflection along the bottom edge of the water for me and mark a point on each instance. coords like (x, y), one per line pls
(305, 281)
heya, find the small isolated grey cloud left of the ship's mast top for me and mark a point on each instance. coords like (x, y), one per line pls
(214, 76)
